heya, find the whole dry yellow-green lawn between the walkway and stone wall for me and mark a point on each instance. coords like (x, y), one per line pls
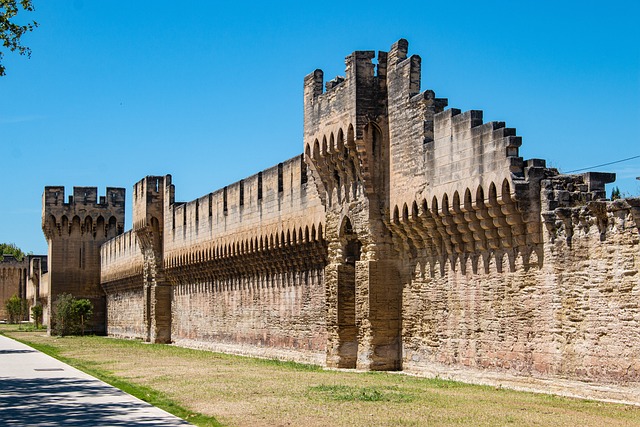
(210, 389)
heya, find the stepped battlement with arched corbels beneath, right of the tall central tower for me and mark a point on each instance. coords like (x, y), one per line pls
(460, 189)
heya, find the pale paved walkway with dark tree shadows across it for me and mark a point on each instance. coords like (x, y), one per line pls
(38, 390)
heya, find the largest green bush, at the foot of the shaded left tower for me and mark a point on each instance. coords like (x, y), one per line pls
(70, 315)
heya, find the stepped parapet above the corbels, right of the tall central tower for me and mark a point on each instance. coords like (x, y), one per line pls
(435, 151)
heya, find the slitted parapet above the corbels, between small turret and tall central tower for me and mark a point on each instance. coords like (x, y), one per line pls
(273, 202)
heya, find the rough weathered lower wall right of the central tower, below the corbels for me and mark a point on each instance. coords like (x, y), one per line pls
(568, 311)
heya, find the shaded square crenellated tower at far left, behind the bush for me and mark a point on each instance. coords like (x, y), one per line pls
(74, 232)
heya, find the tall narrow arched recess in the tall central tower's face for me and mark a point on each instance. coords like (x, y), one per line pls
(347, 324)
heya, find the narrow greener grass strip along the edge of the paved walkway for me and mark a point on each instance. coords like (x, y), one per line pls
(147, 394)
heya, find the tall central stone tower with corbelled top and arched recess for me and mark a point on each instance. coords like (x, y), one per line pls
(346, 137)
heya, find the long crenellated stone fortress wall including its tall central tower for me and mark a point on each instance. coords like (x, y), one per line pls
(406, 237)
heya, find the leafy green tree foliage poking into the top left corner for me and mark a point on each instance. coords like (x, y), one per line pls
(10, 31)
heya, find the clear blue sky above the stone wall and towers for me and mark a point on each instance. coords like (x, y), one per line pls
(211, 92)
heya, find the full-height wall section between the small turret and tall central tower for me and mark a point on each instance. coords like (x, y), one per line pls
(246, 264)
